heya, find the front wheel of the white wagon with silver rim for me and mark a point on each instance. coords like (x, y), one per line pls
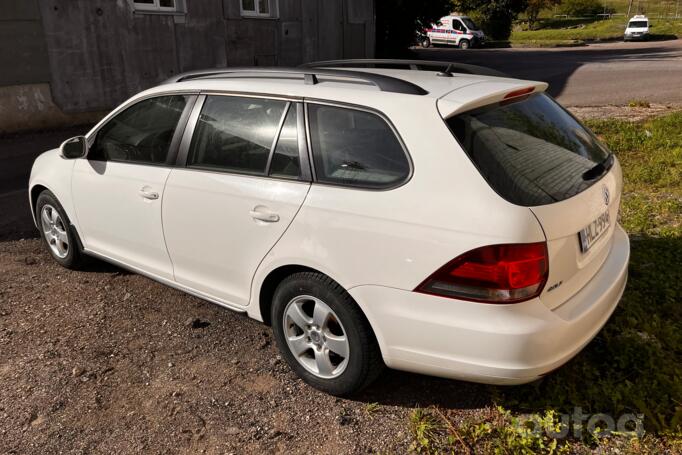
(57, 233)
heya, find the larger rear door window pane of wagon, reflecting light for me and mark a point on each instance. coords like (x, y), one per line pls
(235, 134)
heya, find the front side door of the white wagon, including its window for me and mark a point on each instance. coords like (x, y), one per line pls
(118, 188)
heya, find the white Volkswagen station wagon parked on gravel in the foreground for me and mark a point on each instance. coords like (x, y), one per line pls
(437, 218)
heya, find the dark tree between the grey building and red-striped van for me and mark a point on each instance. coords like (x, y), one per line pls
(399, 21)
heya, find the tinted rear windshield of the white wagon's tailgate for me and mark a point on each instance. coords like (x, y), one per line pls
(531, 151)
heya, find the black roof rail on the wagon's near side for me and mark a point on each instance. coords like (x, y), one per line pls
(310, 76)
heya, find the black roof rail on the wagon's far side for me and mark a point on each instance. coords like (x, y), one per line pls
(444, 68)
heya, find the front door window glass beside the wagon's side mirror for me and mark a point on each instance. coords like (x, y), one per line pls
(142, 133)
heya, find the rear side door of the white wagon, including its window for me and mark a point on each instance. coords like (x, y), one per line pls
(245, 176)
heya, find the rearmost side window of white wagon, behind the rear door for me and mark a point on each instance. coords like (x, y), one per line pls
(355, 148)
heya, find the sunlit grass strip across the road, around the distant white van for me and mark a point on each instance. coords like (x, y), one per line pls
(553, 32)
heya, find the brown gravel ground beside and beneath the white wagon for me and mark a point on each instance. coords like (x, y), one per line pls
(105, 361)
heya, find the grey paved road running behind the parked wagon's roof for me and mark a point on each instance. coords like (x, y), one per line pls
(594, 75)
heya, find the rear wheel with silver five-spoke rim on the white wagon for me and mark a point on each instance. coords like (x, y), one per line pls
(311, 292)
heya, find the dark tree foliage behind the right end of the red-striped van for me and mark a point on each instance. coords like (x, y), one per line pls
(495, 17)
